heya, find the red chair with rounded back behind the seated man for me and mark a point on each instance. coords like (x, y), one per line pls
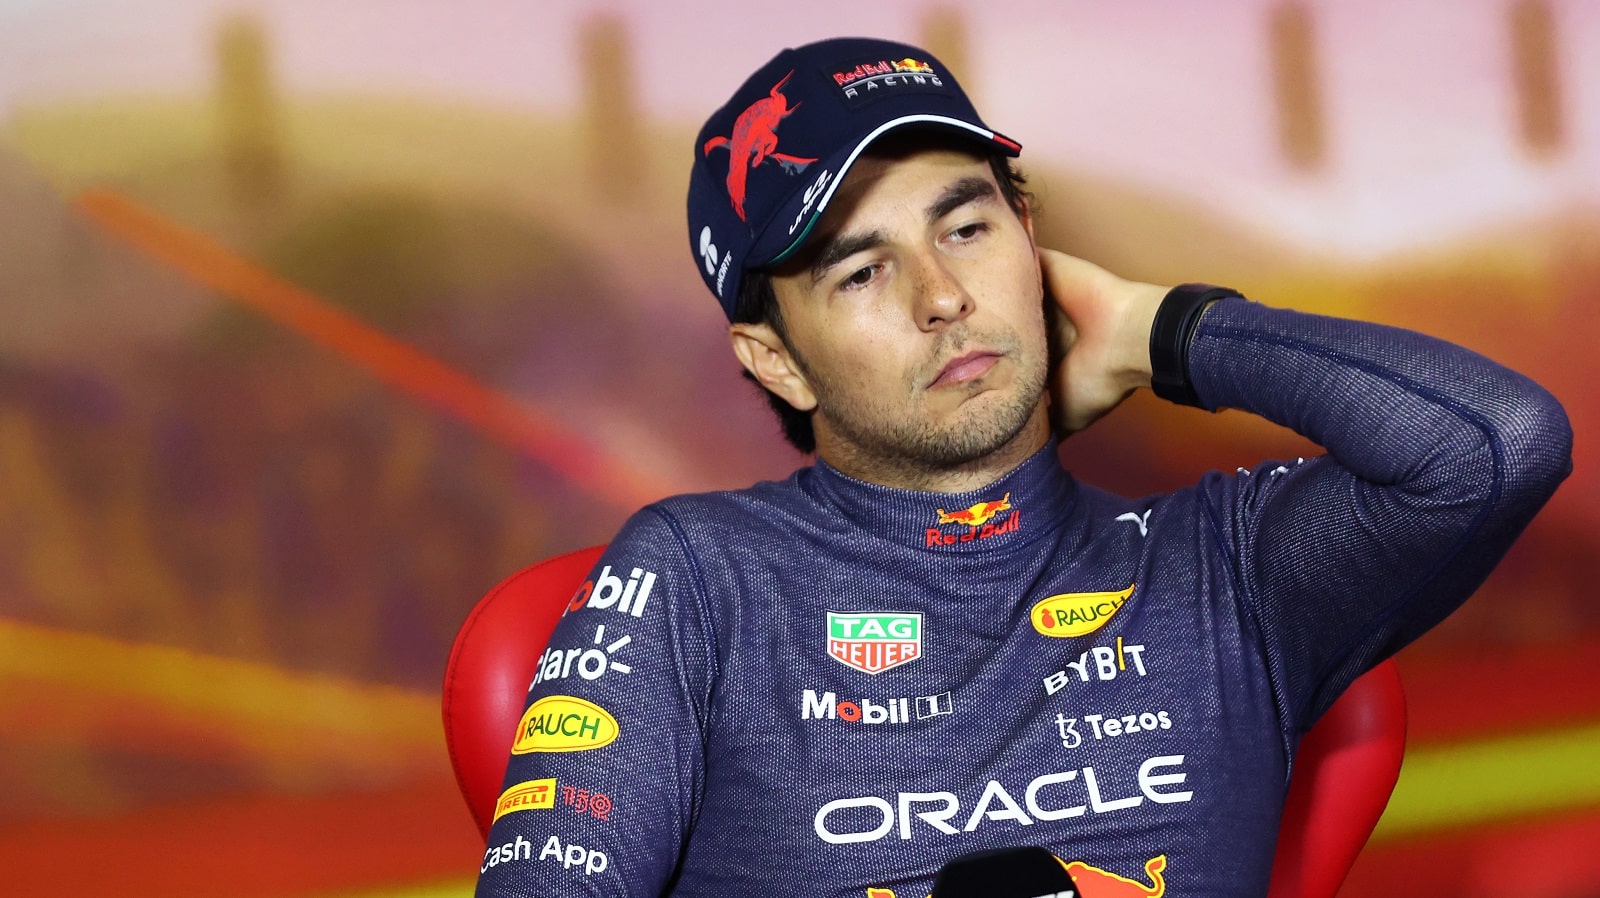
(1343, 776)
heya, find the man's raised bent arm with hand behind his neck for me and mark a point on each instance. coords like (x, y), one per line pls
(1438, 460)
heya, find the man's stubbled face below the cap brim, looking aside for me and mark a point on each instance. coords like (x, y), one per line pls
(916, 323)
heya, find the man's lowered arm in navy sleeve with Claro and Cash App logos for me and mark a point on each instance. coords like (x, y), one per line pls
(606, 771)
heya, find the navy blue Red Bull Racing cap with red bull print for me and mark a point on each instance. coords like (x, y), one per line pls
(767, 164)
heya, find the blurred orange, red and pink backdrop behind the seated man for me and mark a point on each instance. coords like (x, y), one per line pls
(319, 319)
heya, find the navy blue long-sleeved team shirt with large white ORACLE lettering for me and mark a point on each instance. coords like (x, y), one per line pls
(826, 688)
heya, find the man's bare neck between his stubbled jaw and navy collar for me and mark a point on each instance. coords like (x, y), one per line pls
(964, 478)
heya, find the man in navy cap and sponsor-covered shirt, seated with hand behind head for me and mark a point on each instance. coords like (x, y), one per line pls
(935, 641)
